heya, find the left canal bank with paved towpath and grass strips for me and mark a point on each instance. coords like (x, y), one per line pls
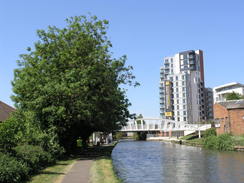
(93, 164)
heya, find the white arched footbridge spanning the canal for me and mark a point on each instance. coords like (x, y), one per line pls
(162, 125)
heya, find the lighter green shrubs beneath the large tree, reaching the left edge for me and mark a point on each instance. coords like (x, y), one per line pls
(21, 128)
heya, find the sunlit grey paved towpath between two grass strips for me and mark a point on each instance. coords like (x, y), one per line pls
(79, 173)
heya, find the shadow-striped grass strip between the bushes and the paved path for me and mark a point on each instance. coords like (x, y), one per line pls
(53, 174)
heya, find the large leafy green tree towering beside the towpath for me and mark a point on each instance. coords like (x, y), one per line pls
(71, 82)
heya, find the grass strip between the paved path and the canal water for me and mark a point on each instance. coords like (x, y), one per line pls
(102, 171)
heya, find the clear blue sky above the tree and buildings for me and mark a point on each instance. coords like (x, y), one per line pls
(146, 31)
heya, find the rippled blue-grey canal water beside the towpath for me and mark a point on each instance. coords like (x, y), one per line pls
(161, 162)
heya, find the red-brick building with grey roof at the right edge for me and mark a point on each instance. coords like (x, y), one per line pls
(230, 114)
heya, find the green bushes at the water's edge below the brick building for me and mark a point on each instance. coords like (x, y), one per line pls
(222, 142)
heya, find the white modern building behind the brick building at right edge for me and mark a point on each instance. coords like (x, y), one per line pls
(221, 91)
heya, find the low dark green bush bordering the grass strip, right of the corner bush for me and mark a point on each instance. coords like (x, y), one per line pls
(34, 157)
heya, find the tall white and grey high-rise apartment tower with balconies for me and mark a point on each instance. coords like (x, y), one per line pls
(182, 90)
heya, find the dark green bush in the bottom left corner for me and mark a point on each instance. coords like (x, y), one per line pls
(11, 170)
